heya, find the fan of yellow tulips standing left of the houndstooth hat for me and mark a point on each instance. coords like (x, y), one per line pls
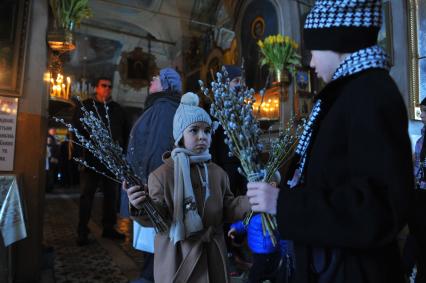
(279, 53)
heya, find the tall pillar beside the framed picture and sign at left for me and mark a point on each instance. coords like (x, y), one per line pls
(30, 146)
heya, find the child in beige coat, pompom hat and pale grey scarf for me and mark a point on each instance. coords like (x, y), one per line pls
(195, 193)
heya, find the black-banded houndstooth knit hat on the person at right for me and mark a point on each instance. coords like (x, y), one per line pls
(343, 25)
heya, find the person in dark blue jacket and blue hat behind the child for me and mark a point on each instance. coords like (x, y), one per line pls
(151, 136)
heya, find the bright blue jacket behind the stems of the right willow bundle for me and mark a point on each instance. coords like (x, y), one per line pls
(258, 243)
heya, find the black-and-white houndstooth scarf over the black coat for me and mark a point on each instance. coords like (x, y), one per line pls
(367, 58)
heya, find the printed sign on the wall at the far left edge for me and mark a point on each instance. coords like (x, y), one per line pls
(8, 113)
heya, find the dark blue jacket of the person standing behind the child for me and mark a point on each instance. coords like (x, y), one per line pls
(151, 136)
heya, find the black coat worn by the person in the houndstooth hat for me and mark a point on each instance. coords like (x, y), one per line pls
(345, 218)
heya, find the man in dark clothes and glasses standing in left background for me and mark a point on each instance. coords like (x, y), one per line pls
(90, 180)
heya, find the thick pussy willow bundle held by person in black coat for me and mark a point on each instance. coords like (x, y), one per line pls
(233, 108)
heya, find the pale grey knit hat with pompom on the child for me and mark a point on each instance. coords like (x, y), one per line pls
(188, 113)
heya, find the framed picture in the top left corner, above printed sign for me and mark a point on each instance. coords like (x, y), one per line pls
(13, 34)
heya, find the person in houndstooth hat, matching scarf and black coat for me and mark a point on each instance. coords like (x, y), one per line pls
(348, 197)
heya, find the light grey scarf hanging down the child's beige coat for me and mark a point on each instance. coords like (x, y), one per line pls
(186, 220)
